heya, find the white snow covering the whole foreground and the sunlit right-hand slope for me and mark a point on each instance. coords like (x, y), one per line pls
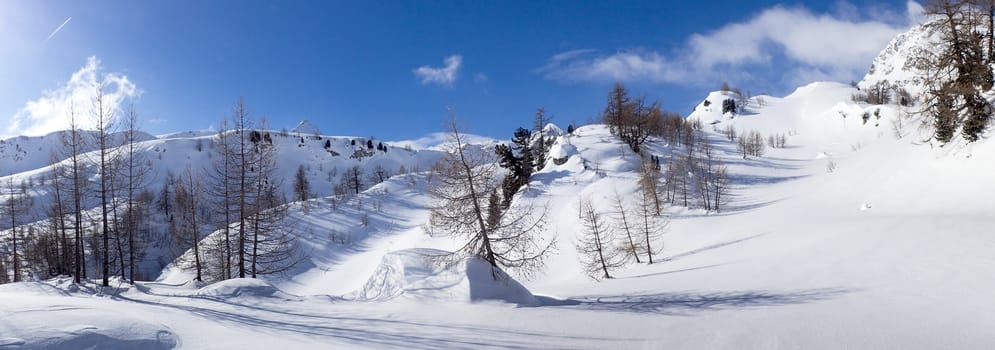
(890, 248)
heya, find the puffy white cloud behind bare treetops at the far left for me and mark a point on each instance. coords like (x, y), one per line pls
(49, 112)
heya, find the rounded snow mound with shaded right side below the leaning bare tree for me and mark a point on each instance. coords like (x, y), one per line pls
(423, 274)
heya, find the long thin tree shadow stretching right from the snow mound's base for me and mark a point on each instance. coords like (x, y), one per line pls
(690, 303)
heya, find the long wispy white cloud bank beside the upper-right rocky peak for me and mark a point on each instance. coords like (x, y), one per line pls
(837, 47)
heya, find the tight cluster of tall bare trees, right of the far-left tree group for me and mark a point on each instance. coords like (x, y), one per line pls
(252, 240)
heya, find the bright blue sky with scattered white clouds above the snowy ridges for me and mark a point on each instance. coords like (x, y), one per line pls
(388, 69)
